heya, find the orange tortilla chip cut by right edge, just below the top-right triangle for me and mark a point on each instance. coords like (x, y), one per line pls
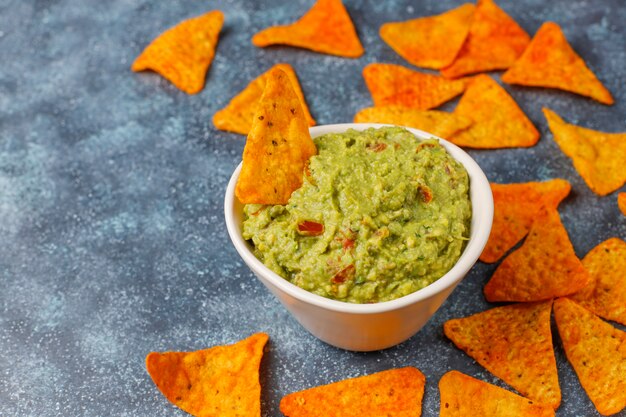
(598, 157)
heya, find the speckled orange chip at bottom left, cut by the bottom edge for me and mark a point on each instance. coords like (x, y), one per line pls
(223, 380)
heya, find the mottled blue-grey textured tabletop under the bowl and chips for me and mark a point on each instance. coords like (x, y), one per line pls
(113, 241)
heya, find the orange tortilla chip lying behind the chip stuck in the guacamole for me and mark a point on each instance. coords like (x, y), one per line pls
(238, 114)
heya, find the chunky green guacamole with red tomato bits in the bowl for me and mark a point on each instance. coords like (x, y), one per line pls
(380, 215)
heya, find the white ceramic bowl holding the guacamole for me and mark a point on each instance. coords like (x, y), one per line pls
(366, 327)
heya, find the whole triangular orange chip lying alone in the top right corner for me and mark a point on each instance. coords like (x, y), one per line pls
(549, 61)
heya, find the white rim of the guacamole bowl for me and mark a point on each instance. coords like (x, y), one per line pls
(482, 218)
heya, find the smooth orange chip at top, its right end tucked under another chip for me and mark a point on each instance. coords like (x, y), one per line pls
(430, 42)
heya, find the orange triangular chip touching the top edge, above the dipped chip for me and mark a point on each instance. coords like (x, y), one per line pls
(325, 28)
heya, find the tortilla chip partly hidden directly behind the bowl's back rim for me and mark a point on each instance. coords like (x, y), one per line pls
(435, 122)
